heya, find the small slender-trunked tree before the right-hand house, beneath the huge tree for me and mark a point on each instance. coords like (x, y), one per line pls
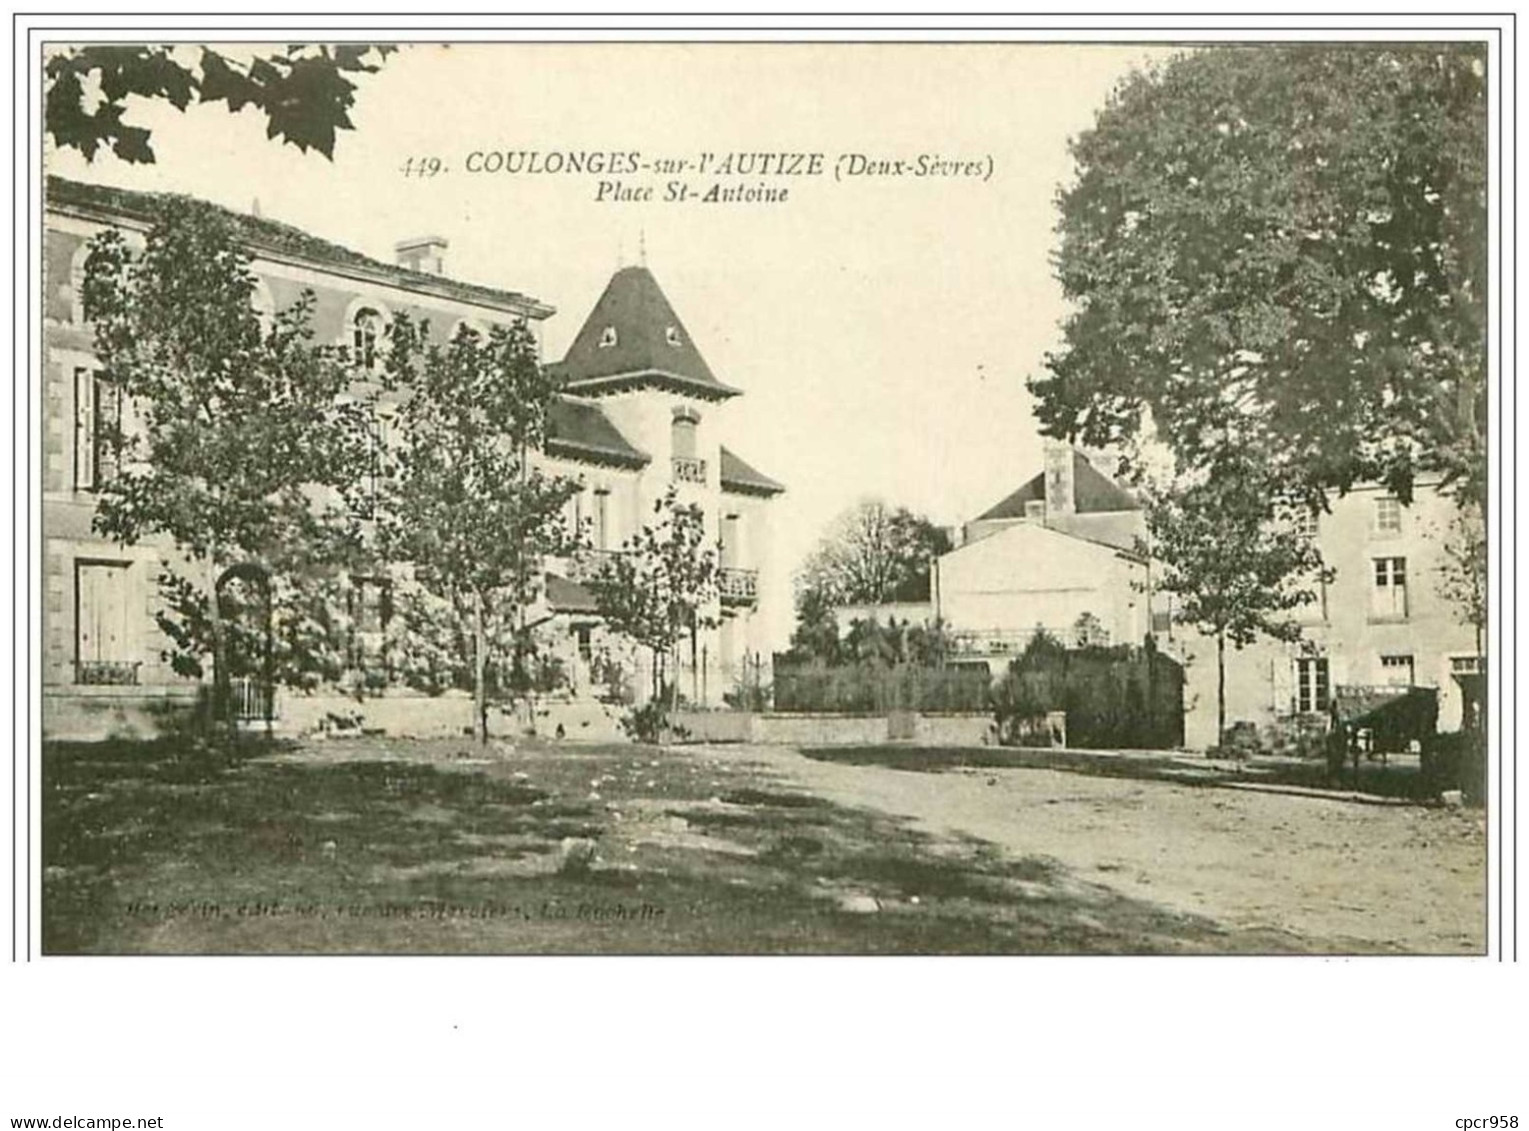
(1233, 562)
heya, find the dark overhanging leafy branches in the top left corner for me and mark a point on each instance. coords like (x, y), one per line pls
(304, 92)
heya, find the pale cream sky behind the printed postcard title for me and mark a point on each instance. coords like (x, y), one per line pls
(881, 328)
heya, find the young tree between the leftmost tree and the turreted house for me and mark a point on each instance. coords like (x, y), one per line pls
(464, 505)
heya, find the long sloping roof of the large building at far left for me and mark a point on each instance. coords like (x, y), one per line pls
(285, 241)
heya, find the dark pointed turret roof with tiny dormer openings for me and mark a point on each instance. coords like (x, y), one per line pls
(634, 339)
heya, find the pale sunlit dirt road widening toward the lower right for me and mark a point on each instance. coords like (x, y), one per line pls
(1362, 878)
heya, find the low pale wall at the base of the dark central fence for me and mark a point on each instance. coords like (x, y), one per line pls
(825, 730)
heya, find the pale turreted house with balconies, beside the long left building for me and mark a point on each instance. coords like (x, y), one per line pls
(644, 415)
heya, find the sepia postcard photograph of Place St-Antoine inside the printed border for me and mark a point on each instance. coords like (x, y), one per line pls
(765, 499)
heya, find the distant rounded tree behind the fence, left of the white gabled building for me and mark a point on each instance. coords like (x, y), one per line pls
(874, 554)
